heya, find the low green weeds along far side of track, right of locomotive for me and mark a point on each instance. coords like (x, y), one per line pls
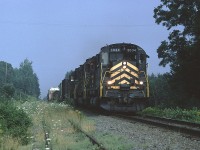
(192, 115)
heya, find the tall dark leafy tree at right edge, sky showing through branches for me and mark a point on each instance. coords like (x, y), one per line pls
(182, 49)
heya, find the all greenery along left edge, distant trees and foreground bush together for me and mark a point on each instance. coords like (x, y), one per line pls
(17, 85)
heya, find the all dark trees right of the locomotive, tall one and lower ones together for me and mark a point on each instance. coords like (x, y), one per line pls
(181, 51)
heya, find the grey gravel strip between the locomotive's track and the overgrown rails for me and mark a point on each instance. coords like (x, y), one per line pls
(145, 136)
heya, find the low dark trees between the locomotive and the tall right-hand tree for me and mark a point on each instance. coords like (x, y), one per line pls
(162, 94)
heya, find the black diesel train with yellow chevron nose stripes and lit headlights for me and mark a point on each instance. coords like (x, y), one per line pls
(115, 79)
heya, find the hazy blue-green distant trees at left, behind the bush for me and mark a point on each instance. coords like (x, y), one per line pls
(18, 82)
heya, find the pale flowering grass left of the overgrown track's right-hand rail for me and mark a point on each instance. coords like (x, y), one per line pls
(54, 119)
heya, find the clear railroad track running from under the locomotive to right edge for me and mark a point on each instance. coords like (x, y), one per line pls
(189, 128)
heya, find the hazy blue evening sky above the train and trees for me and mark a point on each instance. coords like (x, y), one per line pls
(59, 35)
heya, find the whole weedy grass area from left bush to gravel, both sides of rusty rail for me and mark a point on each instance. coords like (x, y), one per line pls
(55, 119)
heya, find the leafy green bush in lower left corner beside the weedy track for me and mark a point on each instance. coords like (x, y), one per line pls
(14, 124)
